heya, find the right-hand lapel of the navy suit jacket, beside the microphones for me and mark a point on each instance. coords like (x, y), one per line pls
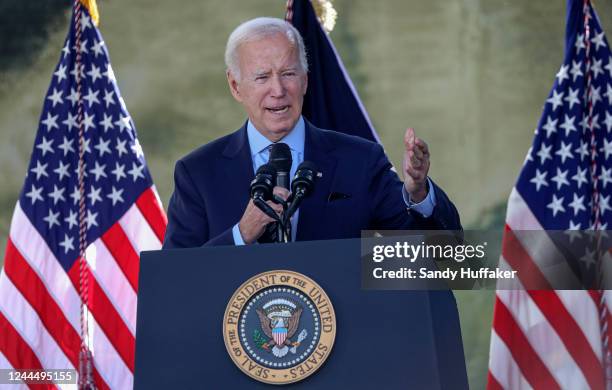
(317, 150)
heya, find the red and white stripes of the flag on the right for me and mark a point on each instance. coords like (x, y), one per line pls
(546, 339)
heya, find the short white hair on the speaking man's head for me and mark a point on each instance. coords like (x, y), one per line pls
(256, 29)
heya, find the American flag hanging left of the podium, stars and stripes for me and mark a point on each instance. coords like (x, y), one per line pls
(40, 304)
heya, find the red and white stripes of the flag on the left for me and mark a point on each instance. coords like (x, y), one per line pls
(40, 304)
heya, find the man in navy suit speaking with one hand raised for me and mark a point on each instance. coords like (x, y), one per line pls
(355, 188)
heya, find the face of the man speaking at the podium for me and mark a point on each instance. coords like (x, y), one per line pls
(272, 85)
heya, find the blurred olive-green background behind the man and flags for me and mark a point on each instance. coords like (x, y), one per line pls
(471, 77)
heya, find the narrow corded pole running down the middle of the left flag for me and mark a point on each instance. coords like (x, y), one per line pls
(85, 357)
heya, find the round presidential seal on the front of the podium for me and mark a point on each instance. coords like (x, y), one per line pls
(279, 327)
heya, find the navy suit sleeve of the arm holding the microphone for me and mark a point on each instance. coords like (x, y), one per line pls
(187, 220)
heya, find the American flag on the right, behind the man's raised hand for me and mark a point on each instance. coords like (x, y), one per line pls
(553, 339)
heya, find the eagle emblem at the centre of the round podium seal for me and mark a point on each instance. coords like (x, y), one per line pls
(279, 320)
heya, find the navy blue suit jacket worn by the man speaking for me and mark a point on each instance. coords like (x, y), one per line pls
(212, 191)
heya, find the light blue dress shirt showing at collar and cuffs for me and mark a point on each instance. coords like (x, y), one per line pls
(260, 155)
